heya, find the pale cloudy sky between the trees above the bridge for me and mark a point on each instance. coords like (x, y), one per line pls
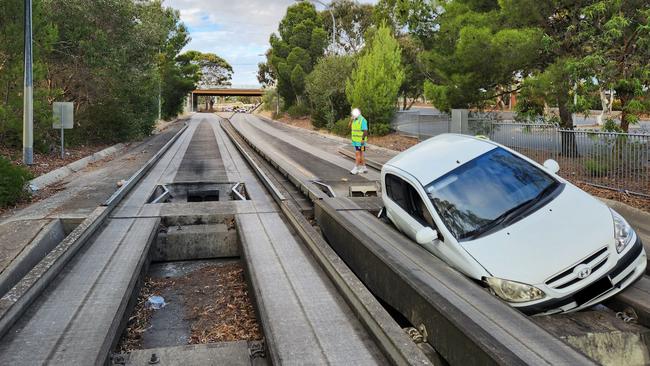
(237, 30)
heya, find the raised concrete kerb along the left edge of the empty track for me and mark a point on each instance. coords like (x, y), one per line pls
(16, 301)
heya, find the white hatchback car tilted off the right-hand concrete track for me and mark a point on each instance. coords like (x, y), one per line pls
(534, 239)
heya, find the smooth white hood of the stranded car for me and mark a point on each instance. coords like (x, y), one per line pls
(566, 230)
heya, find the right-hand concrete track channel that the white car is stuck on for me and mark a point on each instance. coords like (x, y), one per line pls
(460, 320)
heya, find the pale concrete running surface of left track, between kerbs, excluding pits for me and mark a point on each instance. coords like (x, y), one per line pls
(77, 318)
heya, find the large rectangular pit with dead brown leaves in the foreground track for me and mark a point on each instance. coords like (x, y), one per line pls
(193, 293)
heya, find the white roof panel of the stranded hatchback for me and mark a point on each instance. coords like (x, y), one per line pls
(438, 155)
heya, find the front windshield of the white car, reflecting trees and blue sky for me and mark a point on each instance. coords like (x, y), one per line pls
(485, 192)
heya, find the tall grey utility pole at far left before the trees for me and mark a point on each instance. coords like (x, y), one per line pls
(28, 92)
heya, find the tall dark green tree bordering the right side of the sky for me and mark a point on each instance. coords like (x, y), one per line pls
(301, 41)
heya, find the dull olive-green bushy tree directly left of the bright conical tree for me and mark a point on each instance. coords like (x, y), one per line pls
(325, 87)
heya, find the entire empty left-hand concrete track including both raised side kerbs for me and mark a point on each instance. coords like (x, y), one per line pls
(200, 202)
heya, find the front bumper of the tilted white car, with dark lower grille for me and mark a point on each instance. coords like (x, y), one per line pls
(628, 269)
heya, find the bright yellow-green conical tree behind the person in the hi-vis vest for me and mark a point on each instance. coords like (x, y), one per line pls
(374, 84)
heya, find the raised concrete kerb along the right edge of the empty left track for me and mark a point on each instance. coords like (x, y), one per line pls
(397, 346)
